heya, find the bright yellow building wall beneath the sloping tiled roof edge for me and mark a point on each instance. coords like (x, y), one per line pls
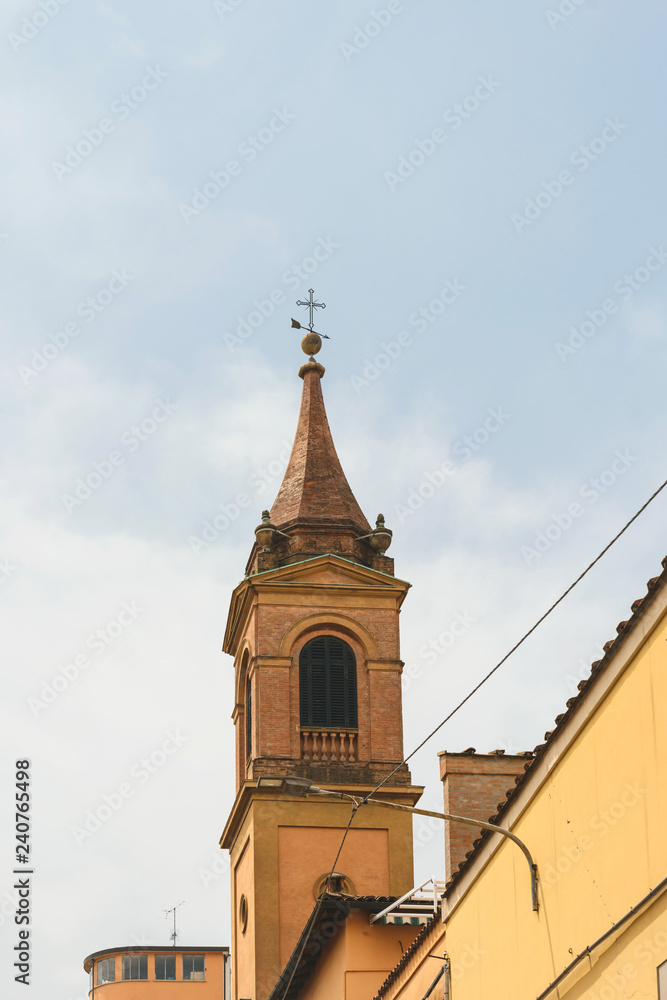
(597, 828)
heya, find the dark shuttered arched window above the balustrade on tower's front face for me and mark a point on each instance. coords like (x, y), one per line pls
(328, 684)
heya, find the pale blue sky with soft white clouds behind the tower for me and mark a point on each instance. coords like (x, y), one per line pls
(476, 192)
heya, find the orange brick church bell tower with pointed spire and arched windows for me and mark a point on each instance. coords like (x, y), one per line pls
(314, 632)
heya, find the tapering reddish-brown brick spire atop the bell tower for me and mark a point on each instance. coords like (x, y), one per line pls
(314, 491)
